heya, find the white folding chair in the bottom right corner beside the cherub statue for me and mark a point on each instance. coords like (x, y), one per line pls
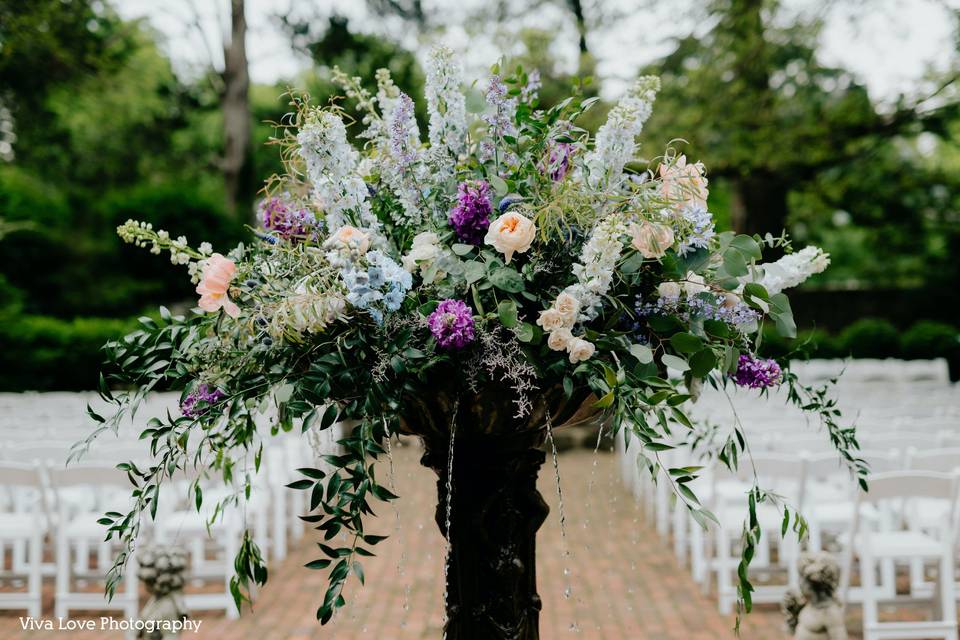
(888, 492)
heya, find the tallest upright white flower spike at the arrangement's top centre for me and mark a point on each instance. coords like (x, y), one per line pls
(447, 108)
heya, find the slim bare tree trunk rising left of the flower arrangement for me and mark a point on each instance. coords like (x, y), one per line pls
(237, 155)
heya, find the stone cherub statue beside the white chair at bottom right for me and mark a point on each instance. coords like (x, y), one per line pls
(815, 613)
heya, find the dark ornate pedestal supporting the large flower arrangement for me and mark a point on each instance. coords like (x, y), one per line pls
(496, 512)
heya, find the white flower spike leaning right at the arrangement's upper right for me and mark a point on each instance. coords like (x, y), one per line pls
(616, 139)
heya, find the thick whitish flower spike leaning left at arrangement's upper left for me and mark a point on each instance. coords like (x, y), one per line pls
(332, 169)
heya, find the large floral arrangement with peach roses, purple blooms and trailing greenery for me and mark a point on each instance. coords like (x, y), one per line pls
(514, 249)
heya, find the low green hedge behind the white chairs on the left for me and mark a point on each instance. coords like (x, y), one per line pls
(44, 353)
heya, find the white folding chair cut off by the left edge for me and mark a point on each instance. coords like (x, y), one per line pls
(23, 523)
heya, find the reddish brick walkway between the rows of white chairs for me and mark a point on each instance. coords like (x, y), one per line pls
(623, 579)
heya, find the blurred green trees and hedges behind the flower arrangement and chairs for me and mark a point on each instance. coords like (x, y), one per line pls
(97, 127)
